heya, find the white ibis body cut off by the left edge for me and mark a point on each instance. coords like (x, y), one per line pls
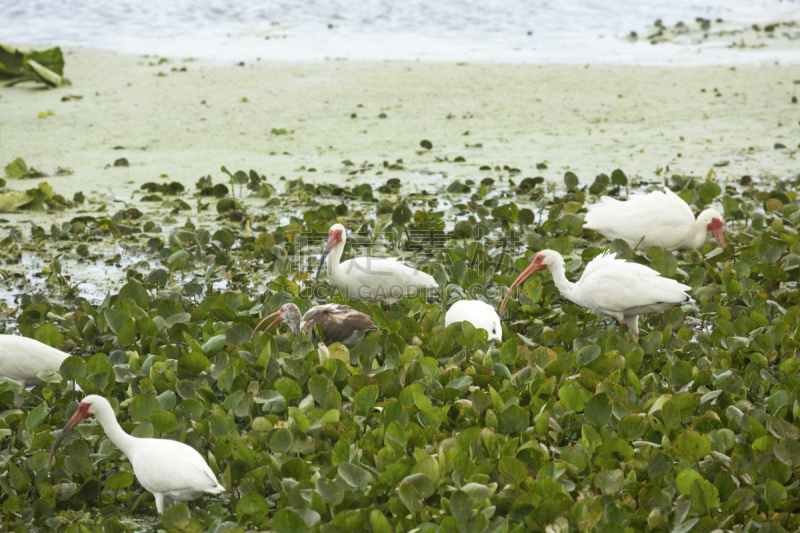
(21, 359)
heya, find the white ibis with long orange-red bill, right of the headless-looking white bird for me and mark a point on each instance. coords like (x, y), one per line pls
(610, 287)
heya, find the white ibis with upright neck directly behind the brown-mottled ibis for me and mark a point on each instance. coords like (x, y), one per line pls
(370, 279)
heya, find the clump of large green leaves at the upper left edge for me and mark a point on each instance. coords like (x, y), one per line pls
(42, 66)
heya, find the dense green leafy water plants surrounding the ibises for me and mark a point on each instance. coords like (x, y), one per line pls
(572, 424)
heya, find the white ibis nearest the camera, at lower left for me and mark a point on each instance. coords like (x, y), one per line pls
(163, 467)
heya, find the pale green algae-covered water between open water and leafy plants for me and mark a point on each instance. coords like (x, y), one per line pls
(186, 119)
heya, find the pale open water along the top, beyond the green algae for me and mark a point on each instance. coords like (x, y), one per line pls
(517, 31)
